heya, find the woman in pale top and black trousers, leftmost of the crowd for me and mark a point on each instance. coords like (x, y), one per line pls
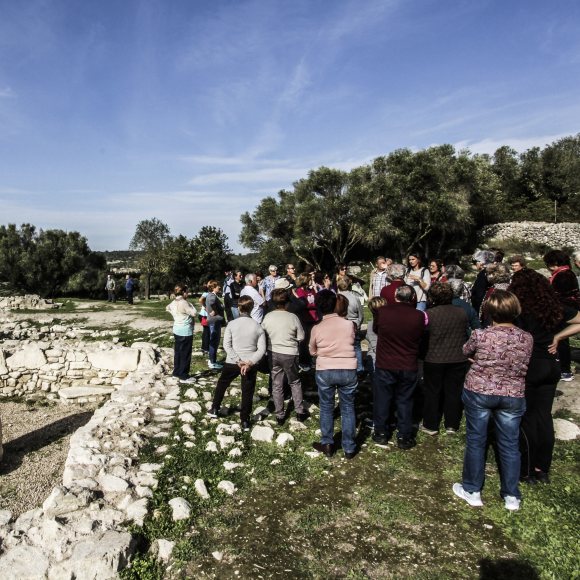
(183, 323)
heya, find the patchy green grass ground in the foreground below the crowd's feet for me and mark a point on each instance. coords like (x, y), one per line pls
(386, 514)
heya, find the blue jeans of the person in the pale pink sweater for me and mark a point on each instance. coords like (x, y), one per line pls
(346, 382)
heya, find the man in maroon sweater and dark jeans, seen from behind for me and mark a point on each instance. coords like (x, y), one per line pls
(399, 328)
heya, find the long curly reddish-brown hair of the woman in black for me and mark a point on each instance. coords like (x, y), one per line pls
(537, 298)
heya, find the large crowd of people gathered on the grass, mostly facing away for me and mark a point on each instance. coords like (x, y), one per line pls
(438, 348)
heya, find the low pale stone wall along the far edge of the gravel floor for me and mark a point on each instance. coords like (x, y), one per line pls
(71, 370)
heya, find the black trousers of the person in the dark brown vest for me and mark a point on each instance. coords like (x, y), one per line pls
(443, 385)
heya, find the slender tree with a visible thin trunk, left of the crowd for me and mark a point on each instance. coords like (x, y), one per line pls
(150, 239)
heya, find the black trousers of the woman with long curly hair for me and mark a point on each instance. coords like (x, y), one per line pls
(537, 427)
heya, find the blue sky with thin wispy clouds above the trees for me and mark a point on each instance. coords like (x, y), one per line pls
(192, 111)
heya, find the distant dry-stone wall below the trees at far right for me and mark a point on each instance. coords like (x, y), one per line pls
(553, 235)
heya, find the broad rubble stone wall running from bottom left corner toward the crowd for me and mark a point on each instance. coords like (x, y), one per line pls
(80, 529)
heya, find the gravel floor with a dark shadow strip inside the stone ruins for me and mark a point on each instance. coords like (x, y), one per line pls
(36, 441)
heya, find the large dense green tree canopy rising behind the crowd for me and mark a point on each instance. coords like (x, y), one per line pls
(433, 200)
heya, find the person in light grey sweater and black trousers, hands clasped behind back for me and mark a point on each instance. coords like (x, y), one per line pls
(245, 346)
